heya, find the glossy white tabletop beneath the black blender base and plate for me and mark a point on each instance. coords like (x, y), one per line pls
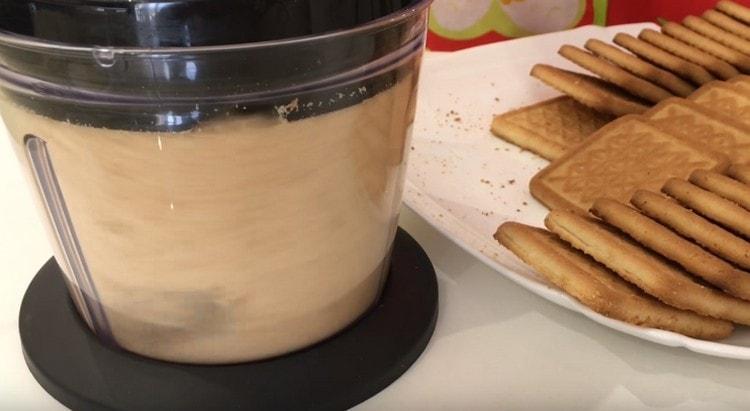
(496, 345)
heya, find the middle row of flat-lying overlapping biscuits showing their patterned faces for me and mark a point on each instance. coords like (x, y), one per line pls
(710, 129)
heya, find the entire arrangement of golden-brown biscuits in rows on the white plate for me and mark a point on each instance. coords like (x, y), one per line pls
(649, 181)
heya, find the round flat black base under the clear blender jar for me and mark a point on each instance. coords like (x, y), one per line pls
(84, 374)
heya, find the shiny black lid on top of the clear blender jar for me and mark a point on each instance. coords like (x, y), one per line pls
(162, 23)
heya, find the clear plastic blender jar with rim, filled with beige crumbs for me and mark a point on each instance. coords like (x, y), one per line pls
(219, 204)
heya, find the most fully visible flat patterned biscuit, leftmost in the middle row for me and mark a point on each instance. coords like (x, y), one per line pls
(623, 156)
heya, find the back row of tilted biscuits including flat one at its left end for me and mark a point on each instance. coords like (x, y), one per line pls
(631, 78)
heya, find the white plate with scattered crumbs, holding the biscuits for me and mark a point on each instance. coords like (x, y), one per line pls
(466, 182)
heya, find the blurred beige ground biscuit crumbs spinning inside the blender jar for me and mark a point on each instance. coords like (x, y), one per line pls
(245, 238)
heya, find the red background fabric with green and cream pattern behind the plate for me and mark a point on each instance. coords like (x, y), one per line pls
(458, 24)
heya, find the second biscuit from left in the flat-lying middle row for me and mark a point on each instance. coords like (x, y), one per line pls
(687, 120)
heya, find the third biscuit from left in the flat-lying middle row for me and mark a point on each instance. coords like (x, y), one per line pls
(719, 97)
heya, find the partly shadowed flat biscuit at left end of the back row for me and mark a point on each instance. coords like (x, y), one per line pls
(549, 128)
